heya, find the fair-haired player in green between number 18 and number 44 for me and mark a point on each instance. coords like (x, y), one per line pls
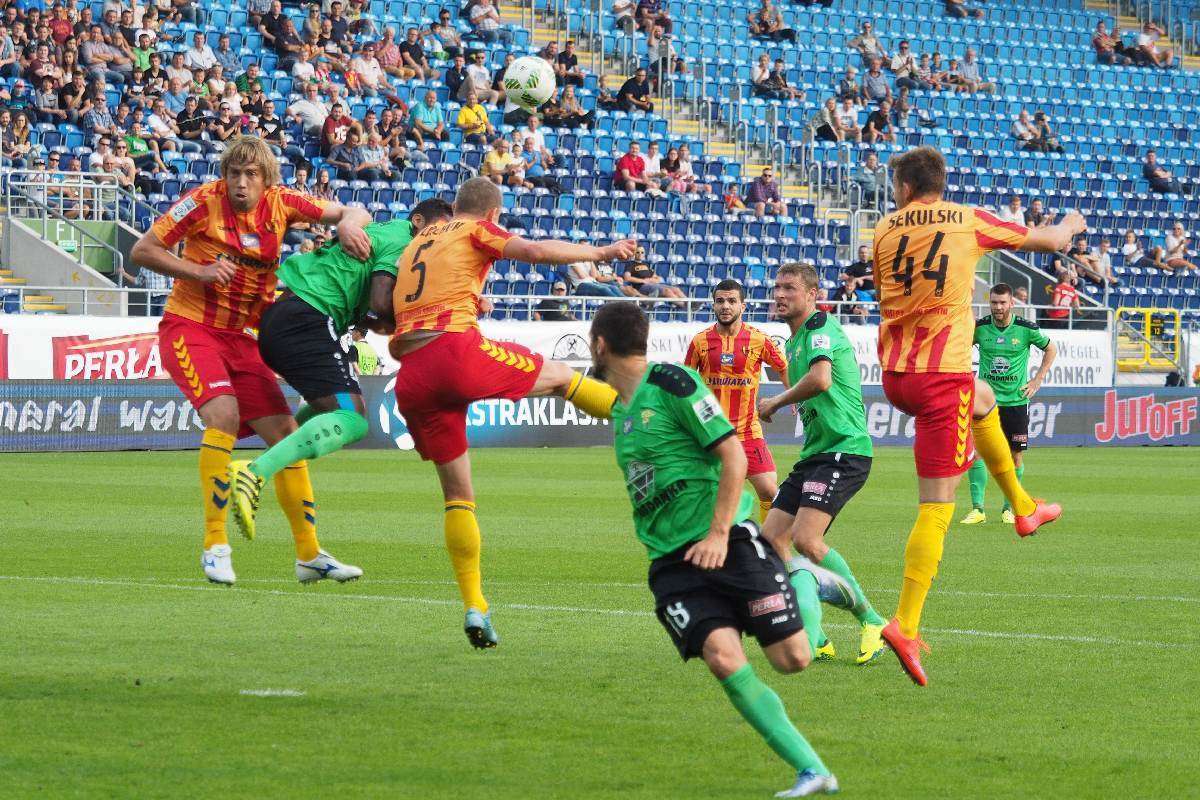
(835, 464)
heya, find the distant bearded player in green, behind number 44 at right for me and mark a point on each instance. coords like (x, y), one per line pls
(1005, 341)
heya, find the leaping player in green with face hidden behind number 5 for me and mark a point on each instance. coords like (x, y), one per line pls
(328, 292)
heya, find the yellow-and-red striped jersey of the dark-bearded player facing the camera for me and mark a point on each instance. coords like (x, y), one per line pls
(733, 368)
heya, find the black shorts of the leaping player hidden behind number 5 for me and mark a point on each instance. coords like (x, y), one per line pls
(302, 345)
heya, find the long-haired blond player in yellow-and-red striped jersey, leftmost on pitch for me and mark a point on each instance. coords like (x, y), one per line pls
(232, 231)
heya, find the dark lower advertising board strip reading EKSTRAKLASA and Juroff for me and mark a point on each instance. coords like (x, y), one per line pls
(74, 416)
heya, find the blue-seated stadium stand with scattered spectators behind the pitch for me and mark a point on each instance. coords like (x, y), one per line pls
(1105, 117)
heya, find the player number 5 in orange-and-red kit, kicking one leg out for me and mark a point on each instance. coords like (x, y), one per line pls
(446, 364)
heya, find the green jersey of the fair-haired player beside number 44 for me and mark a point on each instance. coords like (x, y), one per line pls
(835, 420)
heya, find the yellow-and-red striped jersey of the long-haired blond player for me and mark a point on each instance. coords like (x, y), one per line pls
(207, 224)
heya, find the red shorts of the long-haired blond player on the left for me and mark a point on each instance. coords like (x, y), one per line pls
(208, 363)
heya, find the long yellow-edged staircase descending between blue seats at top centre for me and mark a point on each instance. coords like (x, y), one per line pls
(676, 111)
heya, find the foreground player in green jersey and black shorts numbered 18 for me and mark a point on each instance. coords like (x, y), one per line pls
(712, 578)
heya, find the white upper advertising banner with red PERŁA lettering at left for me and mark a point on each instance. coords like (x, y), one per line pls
(127, 348)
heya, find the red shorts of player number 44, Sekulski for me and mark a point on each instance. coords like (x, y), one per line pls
(941, 404)
